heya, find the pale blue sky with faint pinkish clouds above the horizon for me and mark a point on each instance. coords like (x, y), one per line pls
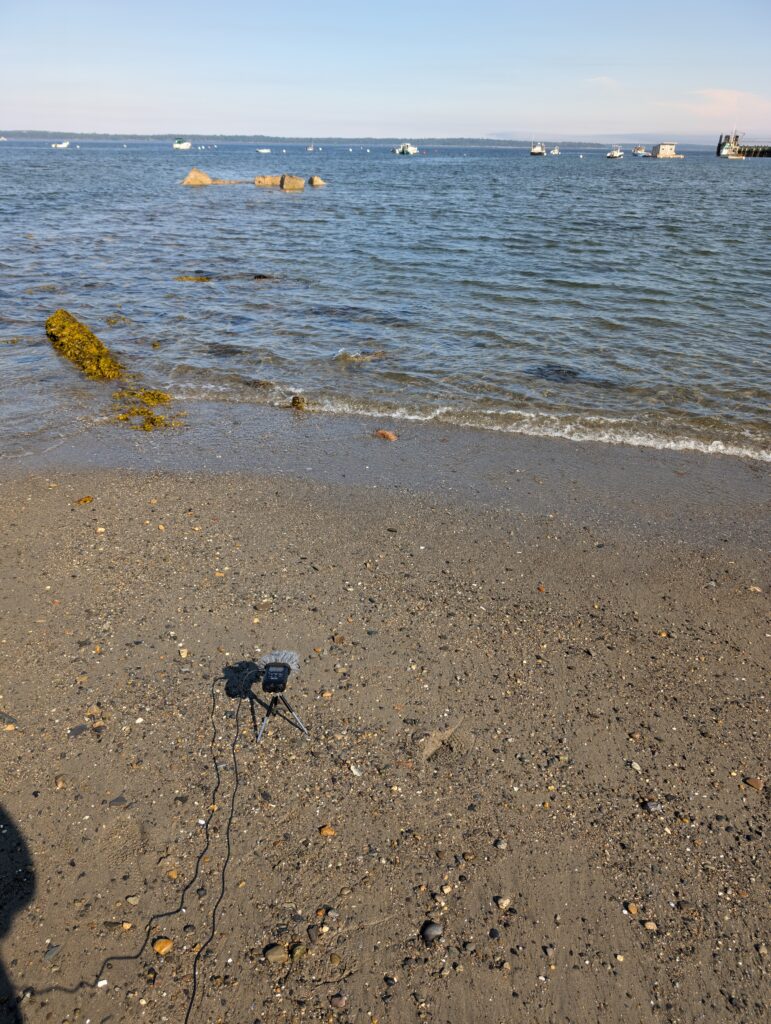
(555, 70)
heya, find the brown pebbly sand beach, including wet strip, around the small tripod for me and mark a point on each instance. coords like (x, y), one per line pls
(534, 675)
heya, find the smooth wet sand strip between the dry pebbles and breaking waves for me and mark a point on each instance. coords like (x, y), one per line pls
(649, 489)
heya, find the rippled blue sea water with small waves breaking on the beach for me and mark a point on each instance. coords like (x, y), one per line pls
(624, 302)
